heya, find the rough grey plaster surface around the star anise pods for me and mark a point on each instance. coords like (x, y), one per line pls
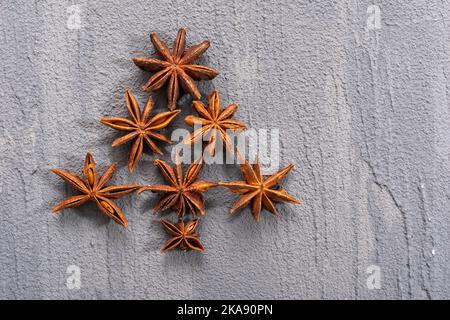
(363, 114)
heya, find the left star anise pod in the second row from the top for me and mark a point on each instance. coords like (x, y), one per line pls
(140, 127)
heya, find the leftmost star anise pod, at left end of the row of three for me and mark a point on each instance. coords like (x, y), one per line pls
(93, 189)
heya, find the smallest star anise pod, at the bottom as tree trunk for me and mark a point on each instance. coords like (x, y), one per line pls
(184, 236)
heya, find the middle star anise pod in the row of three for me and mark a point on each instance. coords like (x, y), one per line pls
(182, 193)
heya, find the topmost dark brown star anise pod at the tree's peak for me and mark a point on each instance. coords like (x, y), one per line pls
(176, 67)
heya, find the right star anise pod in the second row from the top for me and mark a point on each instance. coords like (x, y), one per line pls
(214, 122)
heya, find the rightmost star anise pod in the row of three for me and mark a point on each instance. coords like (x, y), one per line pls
(260, 191)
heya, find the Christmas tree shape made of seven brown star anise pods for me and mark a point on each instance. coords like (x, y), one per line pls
(175, 70)
